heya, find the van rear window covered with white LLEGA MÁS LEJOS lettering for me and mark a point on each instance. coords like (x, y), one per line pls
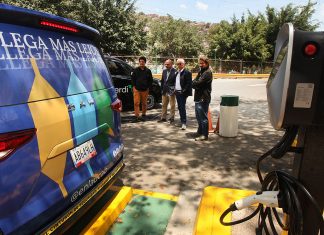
(66, 63)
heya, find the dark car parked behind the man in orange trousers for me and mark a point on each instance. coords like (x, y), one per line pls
(121, 74)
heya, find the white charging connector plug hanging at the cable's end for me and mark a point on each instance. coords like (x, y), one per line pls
(267, 198)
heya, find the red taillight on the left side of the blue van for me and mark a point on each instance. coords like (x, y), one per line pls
(9, 142)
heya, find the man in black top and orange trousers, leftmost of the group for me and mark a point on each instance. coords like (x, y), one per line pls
(142, 80)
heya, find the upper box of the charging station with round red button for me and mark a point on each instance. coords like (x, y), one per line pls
(295, 86)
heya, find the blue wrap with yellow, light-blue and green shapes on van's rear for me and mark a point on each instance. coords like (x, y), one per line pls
(40, 70)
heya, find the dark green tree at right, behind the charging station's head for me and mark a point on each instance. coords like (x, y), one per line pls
(253, 37)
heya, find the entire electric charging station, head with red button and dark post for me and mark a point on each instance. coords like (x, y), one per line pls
(295, 92)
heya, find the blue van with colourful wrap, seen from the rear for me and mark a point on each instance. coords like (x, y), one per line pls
(60, 133)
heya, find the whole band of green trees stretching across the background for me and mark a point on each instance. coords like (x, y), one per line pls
(124, 32)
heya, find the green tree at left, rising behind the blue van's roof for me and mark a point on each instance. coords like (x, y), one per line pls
(116, 20)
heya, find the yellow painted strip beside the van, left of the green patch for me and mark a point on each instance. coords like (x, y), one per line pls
(100, 224)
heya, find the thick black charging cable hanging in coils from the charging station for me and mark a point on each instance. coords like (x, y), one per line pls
(289, 190)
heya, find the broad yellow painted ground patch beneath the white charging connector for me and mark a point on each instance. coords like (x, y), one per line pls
(213, 203)
